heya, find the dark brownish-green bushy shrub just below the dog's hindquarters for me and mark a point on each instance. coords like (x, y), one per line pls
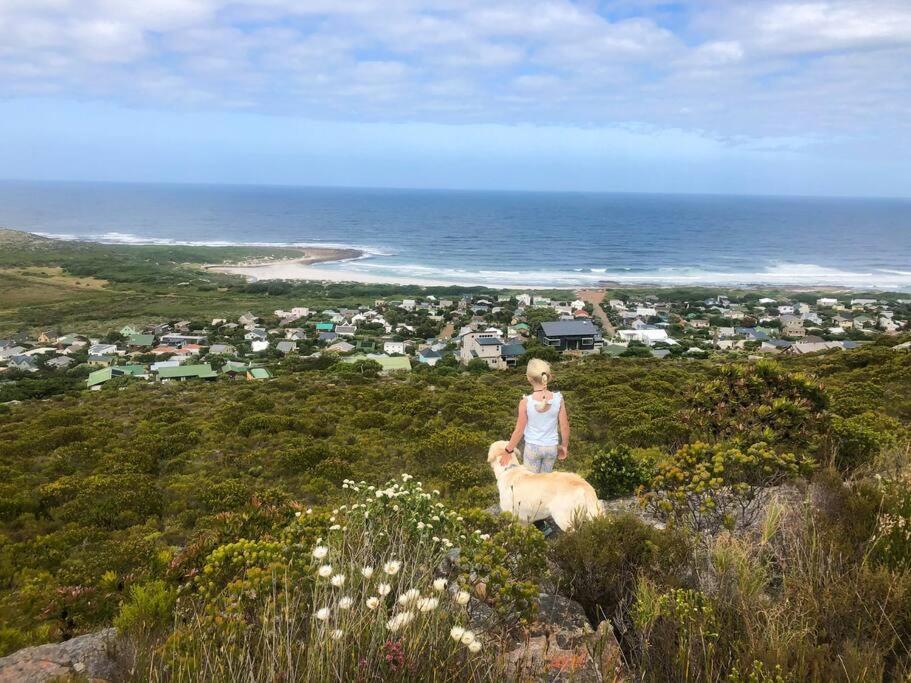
(599, 562)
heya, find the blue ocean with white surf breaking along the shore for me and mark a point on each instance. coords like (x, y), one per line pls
(502, 238)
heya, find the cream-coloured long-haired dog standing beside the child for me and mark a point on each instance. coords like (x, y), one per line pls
(530, 496)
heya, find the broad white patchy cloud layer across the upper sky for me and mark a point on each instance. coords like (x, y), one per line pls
(805, 69)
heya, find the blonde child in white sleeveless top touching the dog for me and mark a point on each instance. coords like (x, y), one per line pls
(541, 413)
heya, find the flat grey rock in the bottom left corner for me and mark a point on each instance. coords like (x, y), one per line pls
(98, 657)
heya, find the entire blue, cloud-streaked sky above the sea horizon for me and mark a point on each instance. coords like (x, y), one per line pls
(727, 96)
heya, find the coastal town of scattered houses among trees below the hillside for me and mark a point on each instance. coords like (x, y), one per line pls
(477, 332)
